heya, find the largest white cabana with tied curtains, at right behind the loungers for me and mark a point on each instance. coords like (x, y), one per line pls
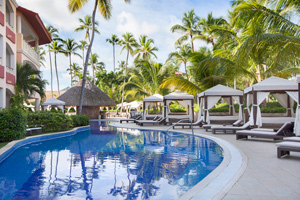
(281, 88)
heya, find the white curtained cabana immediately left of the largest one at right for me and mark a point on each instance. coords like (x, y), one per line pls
(210, 97)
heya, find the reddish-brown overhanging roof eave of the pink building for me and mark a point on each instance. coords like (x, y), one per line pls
(37, 24)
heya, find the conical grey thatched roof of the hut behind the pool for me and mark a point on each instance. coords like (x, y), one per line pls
(93, 96)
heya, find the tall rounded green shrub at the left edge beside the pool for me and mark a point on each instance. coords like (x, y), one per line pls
(13, 123)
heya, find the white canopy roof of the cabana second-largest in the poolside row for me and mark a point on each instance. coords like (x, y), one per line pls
(221, 90)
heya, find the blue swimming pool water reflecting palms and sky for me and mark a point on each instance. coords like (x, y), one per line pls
(109, 163)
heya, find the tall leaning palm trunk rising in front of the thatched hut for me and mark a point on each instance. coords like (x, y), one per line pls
(87, 58)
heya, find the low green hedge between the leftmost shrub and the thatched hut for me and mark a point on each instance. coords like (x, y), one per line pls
(52, 121)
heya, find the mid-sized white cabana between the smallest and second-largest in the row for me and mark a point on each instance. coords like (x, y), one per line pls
(185, 100)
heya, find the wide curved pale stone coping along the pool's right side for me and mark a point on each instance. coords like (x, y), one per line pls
(218, 183)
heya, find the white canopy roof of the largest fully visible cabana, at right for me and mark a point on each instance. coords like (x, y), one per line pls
(273, 84)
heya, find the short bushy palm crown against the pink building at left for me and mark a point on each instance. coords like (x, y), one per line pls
(29, 81)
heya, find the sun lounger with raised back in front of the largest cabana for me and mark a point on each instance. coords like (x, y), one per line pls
(284, 131)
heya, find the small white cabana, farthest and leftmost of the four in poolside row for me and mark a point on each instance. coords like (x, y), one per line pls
(153, 101)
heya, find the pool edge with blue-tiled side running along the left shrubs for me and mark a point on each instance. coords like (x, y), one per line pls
(8, 149)
